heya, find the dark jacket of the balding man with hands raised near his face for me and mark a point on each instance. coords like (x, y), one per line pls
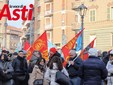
(74, 69)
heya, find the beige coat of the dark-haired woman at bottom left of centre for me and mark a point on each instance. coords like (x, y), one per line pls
(37, 74)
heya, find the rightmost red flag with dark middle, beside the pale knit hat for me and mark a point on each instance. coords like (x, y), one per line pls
(84, 52)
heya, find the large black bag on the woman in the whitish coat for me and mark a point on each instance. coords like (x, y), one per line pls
(61, 78)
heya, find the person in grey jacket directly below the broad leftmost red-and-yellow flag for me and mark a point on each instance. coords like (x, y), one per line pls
(36, 55)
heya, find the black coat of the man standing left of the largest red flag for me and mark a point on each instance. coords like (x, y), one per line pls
(20, 67)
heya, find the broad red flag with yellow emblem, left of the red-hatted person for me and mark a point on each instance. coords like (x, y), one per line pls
(41, 45)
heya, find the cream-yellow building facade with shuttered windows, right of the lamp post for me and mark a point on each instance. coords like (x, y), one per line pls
(99, 23)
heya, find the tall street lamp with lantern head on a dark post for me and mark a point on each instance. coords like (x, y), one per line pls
(82, 11)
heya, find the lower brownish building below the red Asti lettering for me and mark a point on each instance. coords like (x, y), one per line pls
(13, 37)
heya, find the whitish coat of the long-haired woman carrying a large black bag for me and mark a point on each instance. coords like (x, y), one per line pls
(51, 74)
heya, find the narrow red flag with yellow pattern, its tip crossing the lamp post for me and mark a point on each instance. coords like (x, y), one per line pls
(70, 45)
